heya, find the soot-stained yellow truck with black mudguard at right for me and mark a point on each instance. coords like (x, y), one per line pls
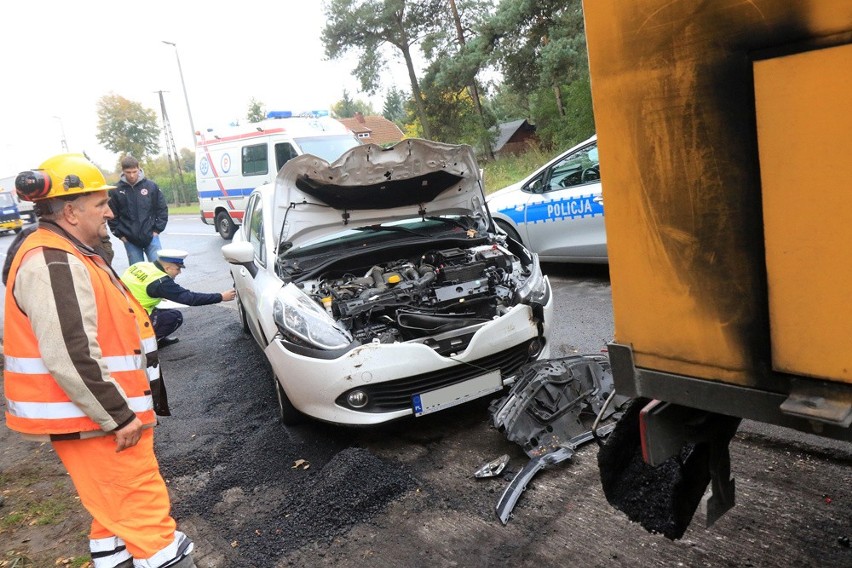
(725, 134)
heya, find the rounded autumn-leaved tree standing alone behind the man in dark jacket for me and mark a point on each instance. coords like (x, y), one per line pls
(126, 127)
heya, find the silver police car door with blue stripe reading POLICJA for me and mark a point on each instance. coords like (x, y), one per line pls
(564, 217)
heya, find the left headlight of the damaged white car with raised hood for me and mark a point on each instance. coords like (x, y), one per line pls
(298, 316)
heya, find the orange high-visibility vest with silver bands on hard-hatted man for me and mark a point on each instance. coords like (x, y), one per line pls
(36, 404)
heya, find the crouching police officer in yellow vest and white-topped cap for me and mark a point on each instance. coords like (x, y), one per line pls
(152, 282)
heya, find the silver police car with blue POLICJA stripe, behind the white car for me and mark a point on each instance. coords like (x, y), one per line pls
(558, 210)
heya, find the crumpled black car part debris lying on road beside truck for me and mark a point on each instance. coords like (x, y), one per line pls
(549, 412)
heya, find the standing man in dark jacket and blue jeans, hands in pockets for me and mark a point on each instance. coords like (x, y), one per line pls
(140, 212)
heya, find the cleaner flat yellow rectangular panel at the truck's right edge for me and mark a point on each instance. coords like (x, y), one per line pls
(804, 123)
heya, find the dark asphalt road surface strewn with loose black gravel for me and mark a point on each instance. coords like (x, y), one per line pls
(251, 492)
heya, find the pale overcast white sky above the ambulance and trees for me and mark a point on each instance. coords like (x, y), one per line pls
(59, 57)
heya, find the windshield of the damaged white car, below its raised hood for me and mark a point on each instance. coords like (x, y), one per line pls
(450, 226)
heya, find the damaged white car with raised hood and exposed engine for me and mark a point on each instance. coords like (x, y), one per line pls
(378, 287)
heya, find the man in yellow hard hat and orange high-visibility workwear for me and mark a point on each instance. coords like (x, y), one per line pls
(76, 350)
